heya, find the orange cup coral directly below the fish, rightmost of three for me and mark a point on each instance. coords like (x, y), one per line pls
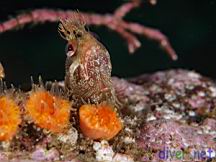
(99, 121)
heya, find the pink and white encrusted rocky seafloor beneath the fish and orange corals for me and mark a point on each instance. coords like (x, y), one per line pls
(167, 116)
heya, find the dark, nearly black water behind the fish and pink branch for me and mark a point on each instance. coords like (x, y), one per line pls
(39, 50)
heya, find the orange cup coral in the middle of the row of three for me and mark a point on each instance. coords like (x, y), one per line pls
(48, 111)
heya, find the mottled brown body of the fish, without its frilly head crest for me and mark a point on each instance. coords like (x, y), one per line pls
(88, 71)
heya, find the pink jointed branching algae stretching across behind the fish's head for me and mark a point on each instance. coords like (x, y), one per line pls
(113, 21)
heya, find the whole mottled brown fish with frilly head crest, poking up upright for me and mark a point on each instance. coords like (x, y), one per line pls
(88, 66)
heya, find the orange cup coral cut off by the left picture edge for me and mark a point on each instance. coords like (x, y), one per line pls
(9, 118)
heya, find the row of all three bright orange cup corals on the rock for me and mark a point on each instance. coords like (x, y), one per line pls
(52, 113)
